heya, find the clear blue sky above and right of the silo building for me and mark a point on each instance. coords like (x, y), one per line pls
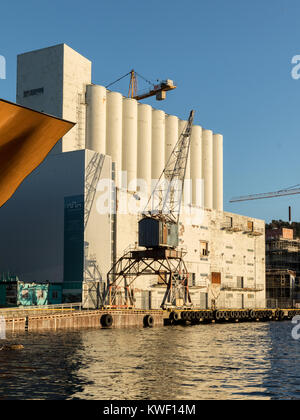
(230, 59)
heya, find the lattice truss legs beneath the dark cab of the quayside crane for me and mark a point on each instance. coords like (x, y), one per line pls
(167, 264)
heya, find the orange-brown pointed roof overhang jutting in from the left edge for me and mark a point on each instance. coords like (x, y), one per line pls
(26, 138)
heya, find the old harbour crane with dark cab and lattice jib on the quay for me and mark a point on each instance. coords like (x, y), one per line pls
(158, 235)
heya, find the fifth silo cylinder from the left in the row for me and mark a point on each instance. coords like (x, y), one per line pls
(158, 143)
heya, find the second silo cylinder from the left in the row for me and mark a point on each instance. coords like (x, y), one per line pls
(114, 113)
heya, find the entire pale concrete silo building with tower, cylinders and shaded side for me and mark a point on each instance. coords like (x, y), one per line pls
(64, 232)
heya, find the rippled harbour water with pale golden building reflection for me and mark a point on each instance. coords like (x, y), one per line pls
(236, 361)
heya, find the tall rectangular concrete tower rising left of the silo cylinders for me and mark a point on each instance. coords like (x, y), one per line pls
(53, 80)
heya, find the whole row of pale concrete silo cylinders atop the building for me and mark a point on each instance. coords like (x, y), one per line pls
(140, 140)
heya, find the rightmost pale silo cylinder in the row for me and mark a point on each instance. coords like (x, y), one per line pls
(218, 172)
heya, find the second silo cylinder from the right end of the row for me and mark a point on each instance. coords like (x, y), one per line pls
(207, 167)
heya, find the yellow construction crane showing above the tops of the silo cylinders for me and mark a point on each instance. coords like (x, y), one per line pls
(159, 90)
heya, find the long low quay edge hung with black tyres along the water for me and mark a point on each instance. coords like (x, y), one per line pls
(126, 318)
